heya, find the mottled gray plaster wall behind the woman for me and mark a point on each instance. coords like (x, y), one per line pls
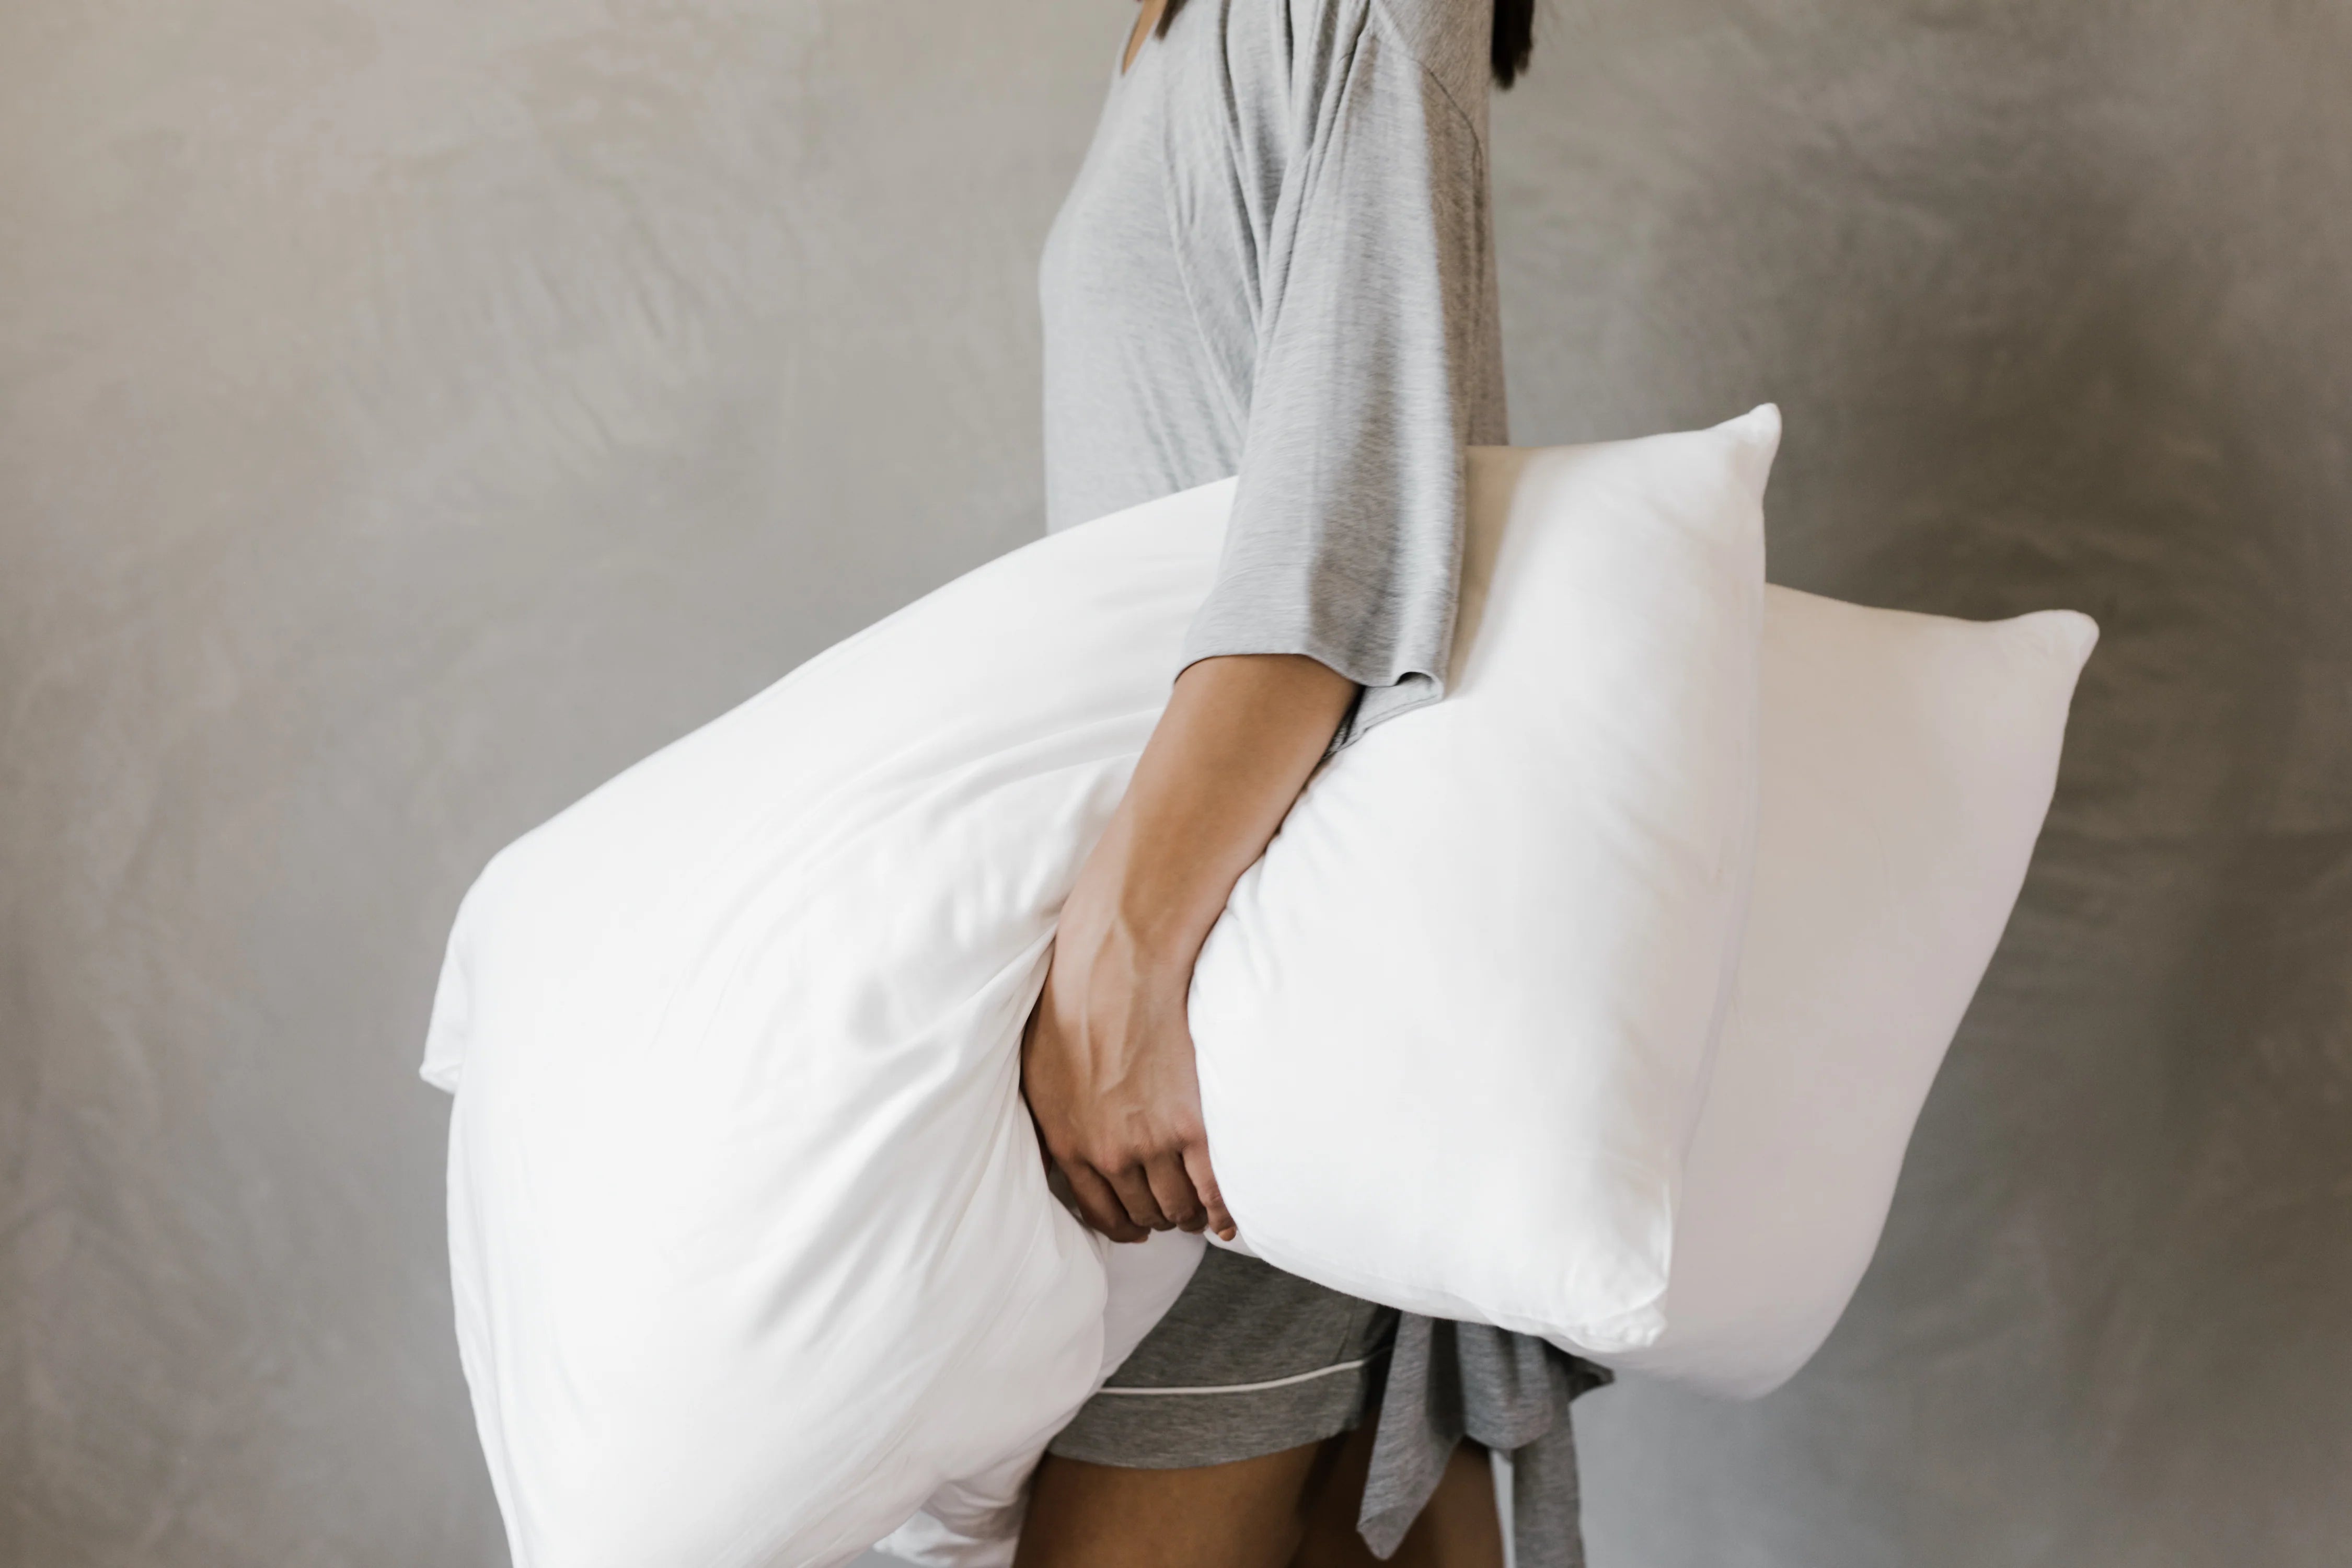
(415, 413)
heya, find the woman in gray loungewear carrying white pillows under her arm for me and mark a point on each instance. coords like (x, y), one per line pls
(1278, 262)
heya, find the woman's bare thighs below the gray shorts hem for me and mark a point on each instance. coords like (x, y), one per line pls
(1281, 1510)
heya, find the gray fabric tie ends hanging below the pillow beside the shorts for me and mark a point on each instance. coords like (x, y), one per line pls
(1504, 1391)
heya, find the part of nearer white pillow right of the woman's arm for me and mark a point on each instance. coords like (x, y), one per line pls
(1455, 1026)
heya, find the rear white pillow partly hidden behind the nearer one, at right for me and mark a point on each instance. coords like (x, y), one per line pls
(1909, 763)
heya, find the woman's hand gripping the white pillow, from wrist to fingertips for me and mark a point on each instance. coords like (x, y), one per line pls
(1107, 1064)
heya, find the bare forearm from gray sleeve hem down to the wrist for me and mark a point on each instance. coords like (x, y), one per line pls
(1224, 765)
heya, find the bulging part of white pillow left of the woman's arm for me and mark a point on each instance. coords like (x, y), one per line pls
(749, 1231)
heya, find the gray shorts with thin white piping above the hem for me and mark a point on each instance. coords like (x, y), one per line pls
(1248, 1362)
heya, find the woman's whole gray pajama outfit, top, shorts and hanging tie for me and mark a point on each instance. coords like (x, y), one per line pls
(1278, 264)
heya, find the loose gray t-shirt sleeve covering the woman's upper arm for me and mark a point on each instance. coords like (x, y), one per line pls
(1349, 518)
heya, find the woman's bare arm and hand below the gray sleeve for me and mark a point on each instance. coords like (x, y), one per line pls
(1109, 1059)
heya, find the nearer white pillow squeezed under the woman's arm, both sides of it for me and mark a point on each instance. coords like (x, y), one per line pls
(749, 1233)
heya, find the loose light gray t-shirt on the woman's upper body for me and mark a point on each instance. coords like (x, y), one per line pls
(1278, 262)
